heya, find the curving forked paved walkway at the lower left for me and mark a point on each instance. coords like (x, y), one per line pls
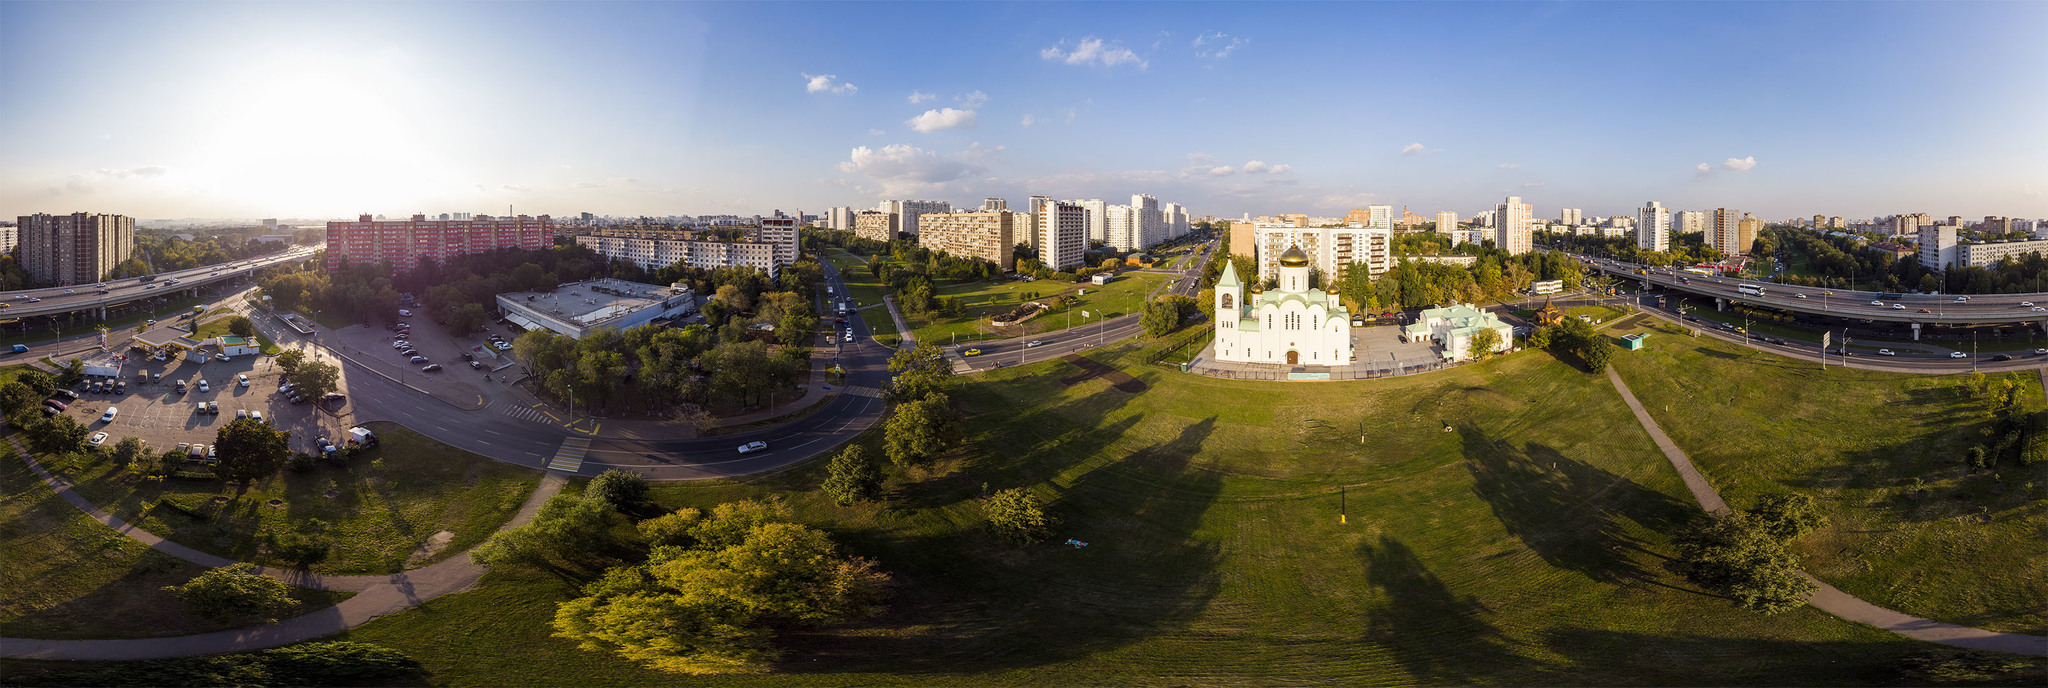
(376, 595)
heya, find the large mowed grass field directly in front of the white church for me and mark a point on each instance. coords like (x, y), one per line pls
(1500, 523)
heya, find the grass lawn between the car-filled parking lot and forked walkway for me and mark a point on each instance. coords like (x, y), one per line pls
(380, 509)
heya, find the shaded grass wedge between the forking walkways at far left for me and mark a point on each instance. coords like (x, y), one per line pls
(67, 576)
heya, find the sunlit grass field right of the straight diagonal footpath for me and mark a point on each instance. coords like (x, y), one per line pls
(1865, 443)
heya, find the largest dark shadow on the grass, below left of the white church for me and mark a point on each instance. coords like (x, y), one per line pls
(972, 605)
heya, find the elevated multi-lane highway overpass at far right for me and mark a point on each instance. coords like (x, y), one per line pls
(1842, 302)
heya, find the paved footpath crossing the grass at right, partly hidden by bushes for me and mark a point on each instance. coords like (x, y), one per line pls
(1826, 597)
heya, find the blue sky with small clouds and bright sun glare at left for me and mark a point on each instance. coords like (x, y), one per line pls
(226, 110)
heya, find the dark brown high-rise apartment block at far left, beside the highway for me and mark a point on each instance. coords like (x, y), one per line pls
(75, 249)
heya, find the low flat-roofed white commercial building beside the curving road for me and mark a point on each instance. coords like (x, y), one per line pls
(579, 308)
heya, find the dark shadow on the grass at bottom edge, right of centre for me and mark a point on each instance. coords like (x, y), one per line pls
(1437, 636)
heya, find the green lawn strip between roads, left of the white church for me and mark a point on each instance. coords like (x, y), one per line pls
(982, 300)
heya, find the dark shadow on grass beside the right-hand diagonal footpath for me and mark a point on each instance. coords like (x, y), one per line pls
(1566, 511)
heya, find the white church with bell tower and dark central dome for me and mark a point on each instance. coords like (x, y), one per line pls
(1293, 325)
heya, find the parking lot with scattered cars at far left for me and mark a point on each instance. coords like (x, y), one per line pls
(161, 417)
